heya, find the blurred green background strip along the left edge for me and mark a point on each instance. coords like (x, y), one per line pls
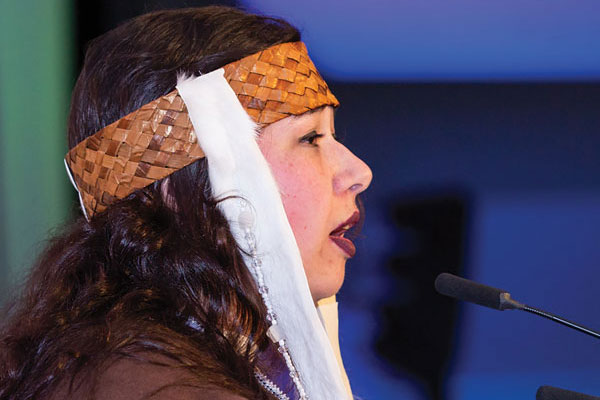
(35, 82)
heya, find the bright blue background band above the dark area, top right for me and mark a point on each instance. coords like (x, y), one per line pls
(385, 40)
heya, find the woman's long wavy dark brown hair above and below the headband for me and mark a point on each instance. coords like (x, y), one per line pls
(148, 274)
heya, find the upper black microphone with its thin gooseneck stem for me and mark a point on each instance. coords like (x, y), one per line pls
(498, 299)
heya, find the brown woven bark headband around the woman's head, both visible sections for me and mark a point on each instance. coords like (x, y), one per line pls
(157, 139)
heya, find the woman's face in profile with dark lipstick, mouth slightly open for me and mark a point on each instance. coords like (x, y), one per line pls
(319, 179)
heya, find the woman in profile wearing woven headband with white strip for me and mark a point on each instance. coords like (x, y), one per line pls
(203, 250)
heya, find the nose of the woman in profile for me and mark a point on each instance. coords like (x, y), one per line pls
(354, 175)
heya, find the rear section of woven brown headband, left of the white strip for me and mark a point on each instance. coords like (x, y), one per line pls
(147, 145)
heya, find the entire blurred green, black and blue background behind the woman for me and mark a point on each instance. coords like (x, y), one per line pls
(481, 124)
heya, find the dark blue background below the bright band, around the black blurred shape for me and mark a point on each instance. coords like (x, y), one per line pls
(526, 156)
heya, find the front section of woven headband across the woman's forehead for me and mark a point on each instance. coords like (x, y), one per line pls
(278, 82)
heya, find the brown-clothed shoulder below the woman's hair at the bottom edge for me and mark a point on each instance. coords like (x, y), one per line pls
(127, 378)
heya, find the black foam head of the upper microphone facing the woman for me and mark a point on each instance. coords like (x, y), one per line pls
(466, 290)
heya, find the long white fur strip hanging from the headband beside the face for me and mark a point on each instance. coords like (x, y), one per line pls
(237, 168)
